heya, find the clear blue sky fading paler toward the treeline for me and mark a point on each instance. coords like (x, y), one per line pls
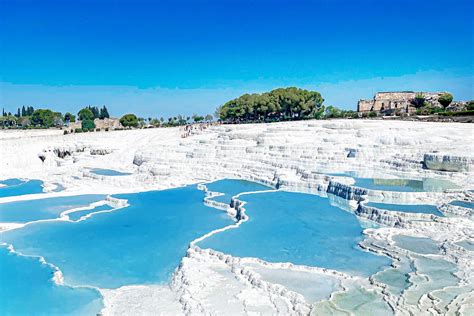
(163, 58)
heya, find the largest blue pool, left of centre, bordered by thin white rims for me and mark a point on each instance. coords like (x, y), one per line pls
(139, 244)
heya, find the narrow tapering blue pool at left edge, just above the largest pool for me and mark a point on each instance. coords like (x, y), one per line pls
(41, 209)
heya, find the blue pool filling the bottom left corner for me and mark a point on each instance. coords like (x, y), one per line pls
(41, 296)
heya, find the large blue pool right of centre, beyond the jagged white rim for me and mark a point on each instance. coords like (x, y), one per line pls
(301, 229)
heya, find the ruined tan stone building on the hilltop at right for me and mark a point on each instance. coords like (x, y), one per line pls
(397, 102)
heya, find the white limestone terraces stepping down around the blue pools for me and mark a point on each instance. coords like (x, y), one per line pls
(292, 156)
